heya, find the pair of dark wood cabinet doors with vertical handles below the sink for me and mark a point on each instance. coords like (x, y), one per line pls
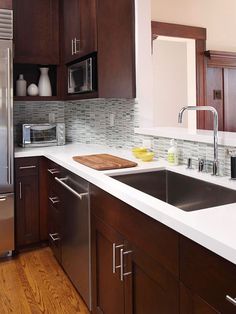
(125, 278)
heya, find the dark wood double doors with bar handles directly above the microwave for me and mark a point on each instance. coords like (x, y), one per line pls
(79, 29)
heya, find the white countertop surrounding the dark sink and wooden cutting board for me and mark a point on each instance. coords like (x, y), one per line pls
(214, 228)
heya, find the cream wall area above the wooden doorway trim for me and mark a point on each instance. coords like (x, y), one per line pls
(218, 16)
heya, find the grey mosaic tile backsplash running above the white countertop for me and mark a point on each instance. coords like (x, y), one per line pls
(88, 121)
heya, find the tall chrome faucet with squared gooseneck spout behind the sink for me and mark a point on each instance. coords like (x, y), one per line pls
(216, 123)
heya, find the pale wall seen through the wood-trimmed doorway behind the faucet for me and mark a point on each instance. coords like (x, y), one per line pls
(170, 76)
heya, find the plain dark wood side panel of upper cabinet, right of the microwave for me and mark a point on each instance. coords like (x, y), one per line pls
(116, 48)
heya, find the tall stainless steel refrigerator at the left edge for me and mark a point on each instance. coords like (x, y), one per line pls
(6, 135)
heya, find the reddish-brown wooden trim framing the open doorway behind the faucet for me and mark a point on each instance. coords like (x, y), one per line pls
(191, 32)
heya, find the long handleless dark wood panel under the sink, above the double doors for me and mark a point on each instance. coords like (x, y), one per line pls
(157, 240)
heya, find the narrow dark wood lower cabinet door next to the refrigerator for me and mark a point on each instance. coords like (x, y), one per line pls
(27, 210)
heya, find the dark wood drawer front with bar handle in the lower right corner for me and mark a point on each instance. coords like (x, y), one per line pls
(208, 275)
